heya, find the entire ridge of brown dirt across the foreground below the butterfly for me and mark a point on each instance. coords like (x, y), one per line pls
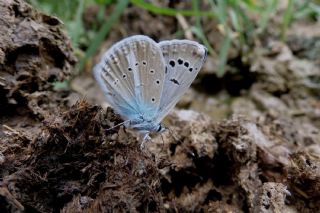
(73, 164)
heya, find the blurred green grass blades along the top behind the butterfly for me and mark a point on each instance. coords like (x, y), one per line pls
(234, 18)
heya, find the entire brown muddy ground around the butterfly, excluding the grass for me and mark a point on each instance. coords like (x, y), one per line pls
(55, 156)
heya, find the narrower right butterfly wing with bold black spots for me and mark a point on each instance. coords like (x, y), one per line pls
(184, 60)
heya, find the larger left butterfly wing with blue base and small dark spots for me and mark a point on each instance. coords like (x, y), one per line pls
(131, 75)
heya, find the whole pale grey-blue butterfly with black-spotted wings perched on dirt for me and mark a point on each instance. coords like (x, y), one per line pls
(143, 80)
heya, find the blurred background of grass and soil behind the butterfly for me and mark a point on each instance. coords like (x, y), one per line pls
(264, 55)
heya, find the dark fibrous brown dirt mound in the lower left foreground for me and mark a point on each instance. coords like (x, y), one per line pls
(73, 161)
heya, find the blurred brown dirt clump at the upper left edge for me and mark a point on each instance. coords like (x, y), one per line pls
(34, 52)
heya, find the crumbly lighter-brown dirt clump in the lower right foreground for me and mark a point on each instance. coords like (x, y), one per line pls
(236, 165)
